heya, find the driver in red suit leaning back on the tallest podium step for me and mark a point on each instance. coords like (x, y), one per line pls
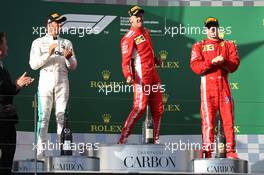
(138, 65)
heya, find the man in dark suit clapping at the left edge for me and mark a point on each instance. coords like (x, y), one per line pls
(8, 115)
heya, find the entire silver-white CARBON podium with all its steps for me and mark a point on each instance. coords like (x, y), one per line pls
(140, 158)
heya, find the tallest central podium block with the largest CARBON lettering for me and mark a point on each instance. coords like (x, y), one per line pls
(145, 157)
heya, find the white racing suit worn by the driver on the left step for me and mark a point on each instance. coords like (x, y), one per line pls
(53, 85)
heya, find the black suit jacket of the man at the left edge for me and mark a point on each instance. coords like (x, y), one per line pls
(7, 91)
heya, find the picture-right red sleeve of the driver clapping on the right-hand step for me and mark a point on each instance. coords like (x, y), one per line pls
(232, 62)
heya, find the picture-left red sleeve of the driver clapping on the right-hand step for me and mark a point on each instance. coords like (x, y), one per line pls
(198, 64)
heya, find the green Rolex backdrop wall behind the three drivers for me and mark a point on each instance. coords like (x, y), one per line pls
(99, 100)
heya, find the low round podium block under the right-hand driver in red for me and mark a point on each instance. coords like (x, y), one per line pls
(220, 165)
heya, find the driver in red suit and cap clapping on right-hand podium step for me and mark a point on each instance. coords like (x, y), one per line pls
(213, 59)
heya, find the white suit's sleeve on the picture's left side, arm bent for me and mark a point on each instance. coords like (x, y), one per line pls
(37, 59)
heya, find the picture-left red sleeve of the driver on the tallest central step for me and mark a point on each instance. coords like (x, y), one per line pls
(127, 45)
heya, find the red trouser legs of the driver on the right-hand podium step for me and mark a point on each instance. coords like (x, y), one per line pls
(214, 99)
